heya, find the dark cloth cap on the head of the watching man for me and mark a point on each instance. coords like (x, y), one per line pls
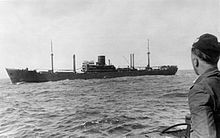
(208, 44)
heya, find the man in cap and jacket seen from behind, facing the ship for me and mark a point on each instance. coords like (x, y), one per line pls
(204, 95)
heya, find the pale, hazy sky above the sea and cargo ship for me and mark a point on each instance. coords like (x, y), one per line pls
(114, 28)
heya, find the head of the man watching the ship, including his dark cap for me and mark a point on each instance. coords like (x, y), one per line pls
(205, 53)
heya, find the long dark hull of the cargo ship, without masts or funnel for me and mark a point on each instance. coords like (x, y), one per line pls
(24, 75)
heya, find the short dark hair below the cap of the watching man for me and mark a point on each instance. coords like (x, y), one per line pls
(213, 60)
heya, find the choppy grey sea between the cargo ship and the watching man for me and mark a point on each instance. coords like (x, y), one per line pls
(97, 108)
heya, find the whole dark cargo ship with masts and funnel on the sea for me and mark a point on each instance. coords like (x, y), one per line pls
(89, 71)
